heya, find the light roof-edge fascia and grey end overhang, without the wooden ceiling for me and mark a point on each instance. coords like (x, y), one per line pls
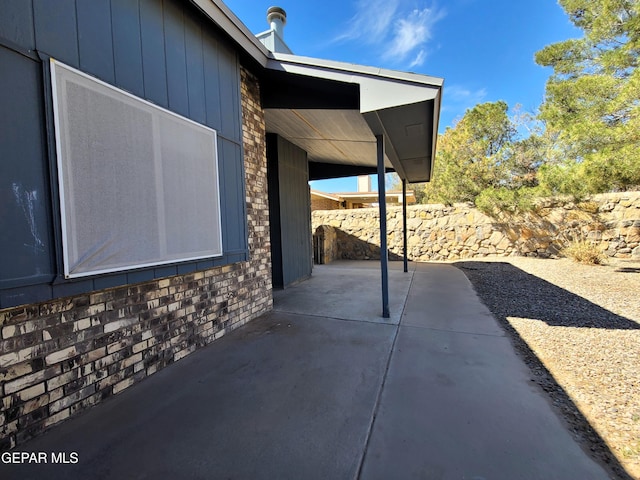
(383, 93)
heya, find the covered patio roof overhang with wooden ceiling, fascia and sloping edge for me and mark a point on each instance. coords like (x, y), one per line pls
(335, 110)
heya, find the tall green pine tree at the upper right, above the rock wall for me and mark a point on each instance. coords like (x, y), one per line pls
(592, 102)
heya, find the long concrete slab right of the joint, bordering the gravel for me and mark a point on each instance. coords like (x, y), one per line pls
(459, 404)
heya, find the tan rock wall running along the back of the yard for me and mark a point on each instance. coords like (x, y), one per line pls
(439, 232)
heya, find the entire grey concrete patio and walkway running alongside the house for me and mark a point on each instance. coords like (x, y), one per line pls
(323, 388)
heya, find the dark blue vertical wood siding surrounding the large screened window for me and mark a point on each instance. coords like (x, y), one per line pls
(165, 51)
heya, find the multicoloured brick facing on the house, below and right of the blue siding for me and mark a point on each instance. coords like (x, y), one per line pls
(60, 357)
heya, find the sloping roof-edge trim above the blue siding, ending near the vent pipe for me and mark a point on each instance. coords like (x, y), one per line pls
(222, 16)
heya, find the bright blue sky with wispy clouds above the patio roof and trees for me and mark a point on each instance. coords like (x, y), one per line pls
(483, 49)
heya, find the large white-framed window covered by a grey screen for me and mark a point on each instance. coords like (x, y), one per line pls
(138, 184)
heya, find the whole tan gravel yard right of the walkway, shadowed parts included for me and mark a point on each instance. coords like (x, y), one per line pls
(578, 328)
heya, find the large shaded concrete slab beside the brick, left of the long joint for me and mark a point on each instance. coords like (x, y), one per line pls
(286, 396)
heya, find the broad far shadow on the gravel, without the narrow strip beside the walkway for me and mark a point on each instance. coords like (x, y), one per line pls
(523, 295)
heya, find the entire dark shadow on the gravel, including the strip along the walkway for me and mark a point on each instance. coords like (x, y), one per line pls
(527, 296)
